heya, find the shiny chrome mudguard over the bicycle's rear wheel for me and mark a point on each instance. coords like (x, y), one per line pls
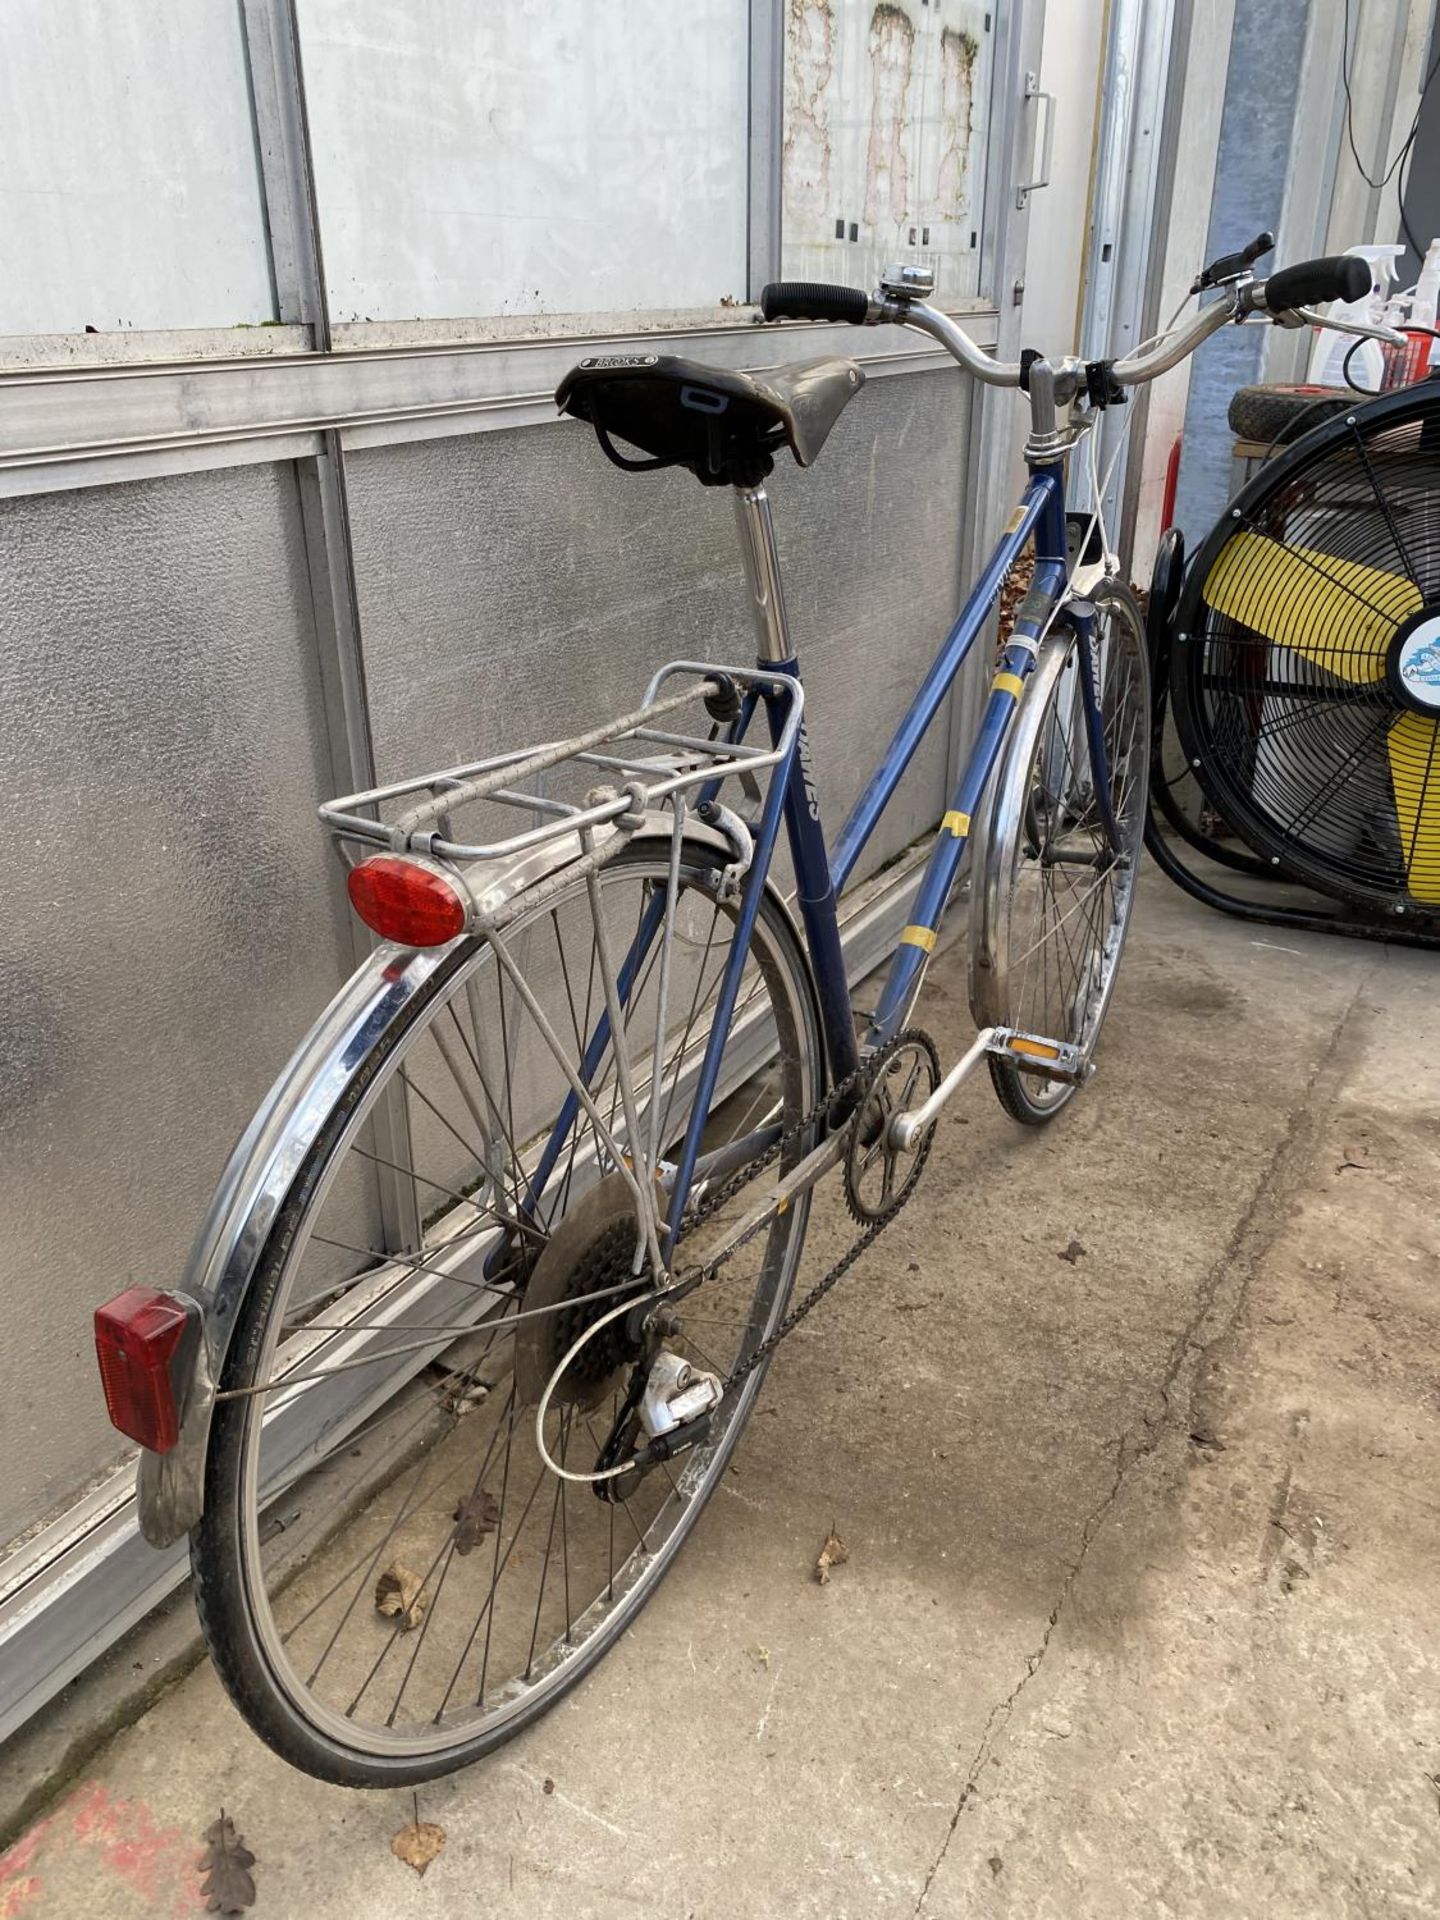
(270, 1155)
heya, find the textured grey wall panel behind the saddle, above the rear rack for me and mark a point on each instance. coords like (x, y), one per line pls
(516, 583)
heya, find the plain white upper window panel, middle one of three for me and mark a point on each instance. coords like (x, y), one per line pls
(548, 156)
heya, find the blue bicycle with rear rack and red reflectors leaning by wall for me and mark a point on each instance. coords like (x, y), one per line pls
(565, 1124)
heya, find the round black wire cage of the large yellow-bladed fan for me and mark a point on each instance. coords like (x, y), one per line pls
(1285, 681)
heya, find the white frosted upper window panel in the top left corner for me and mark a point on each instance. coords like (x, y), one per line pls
(130, 187)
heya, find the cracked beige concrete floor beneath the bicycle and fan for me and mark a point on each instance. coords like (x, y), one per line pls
(1141, 1602)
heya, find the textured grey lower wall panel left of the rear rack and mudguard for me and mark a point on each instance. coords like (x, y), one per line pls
(170, 919)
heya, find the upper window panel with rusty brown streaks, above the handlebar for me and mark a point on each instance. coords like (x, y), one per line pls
(886, 126)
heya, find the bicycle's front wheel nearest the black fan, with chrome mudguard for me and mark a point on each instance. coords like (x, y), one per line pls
(1051, 898)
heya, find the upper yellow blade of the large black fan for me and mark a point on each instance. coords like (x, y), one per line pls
(1341, 615)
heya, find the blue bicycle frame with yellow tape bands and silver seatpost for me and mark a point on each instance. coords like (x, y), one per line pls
(821, 871)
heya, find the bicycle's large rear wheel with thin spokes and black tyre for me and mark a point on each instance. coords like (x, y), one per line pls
(387, 1621)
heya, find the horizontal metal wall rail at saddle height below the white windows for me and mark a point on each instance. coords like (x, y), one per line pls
(99, 425)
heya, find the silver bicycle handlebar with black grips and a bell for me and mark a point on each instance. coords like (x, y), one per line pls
(1285, 295)
